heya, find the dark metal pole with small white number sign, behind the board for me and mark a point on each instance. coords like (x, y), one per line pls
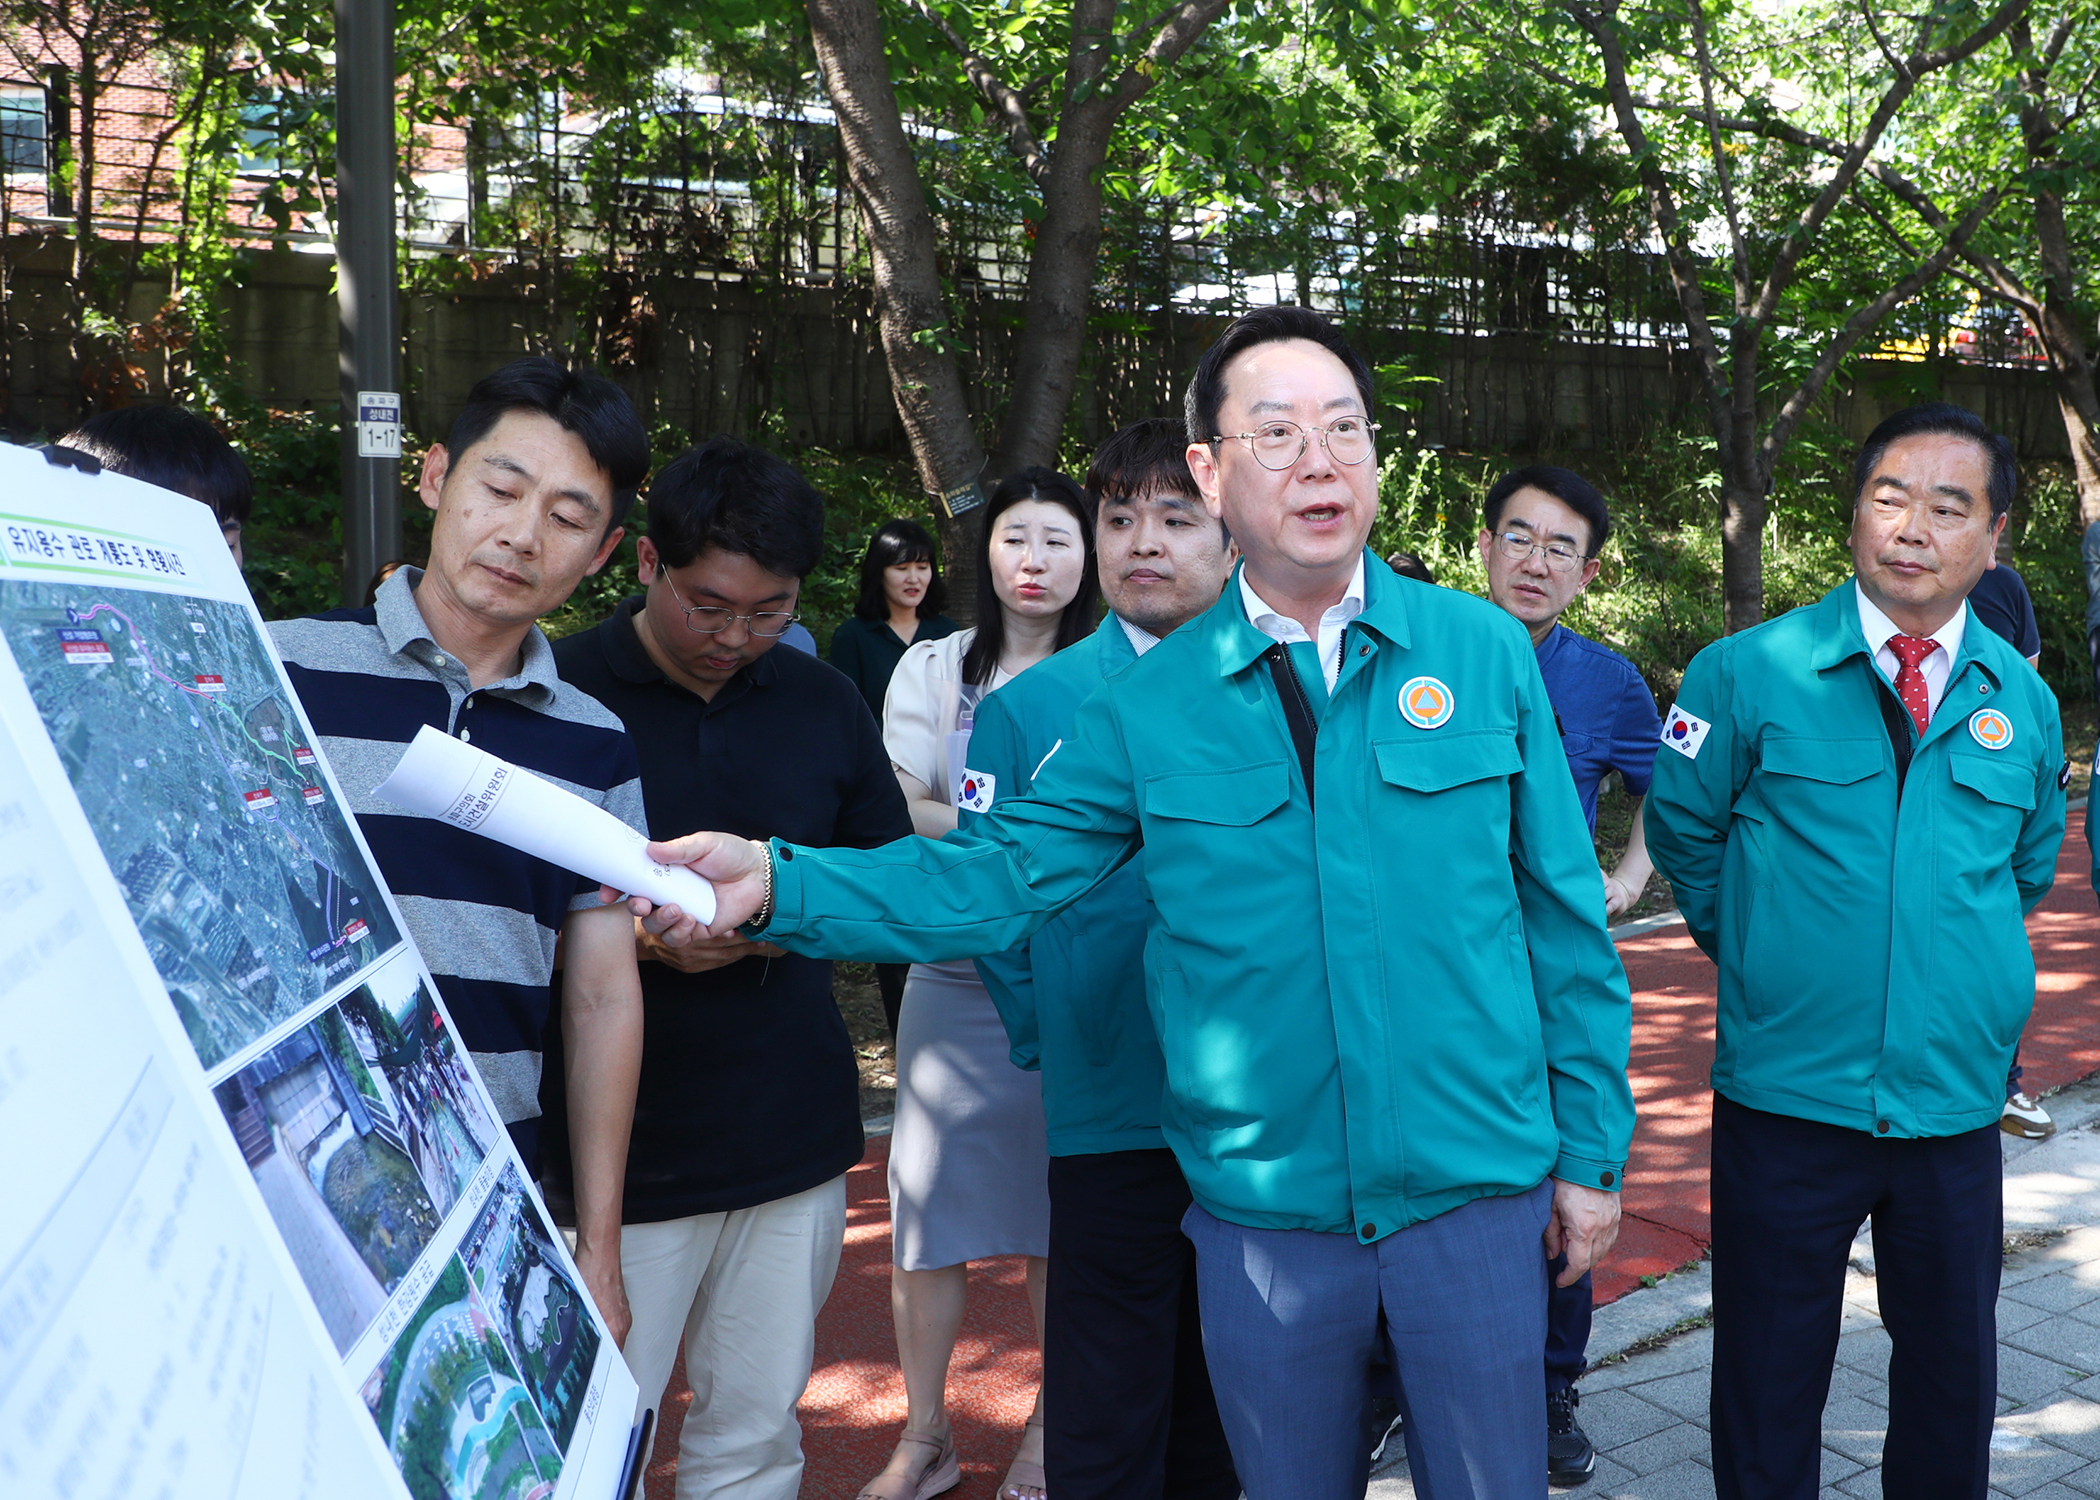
(371, 356)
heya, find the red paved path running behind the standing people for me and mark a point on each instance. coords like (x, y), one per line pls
(856, 1398)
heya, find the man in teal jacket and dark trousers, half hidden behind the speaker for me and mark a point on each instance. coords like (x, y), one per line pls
(1129, 1404)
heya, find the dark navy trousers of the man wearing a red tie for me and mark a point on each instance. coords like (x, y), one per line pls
(1788, 1201)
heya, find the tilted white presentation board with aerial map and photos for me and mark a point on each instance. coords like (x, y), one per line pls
(264, 1232)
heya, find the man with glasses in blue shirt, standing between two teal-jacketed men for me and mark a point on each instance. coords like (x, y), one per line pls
(1540, 541)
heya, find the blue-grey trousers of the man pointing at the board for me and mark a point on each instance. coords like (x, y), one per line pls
(1293, 1316)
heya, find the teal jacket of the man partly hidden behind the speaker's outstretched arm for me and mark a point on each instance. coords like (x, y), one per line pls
(1074, 995)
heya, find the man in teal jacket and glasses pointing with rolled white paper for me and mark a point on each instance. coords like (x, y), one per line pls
(1395, 1030)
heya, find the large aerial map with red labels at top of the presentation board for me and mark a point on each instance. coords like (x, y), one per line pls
(209, 806)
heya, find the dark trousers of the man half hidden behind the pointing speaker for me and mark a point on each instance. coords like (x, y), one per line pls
(1129, 1411)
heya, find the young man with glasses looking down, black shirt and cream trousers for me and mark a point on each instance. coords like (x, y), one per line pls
(749, 1108)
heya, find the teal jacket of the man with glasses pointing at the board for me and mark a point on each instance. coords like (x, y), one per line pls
(1370, 1014)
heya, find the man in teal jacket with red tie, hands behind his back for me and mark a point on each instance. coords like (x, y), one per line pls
(1857, 806)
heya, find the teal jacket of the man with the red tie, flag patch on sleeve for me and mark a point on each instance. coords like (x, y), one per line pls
(1874, 963)
